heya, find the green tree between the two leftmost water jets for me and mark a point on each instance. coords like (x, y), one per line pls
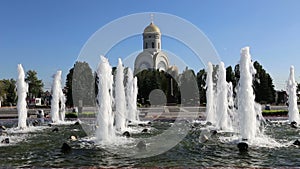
(36, 85)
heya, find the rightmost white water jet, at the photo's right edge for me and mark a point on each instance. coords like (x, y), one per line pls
(292, 100)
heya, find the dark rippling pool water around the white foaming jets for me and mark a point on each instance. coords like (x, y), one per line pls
(42, 148)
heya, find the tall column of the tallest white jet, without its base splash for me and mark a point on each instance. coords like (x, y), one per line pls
(246, 104)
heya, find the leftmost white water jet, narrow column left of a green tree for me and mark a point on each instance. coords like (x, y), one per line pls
(22, 89)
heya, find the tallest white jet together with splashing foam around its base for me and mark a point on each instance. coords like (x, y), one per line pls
(247, 117)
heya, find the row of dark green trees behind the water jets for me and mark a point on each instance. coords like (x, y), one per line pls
(187, 88)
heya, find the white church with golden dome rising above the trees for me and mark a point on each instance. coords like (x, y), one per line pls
(152, 56)
